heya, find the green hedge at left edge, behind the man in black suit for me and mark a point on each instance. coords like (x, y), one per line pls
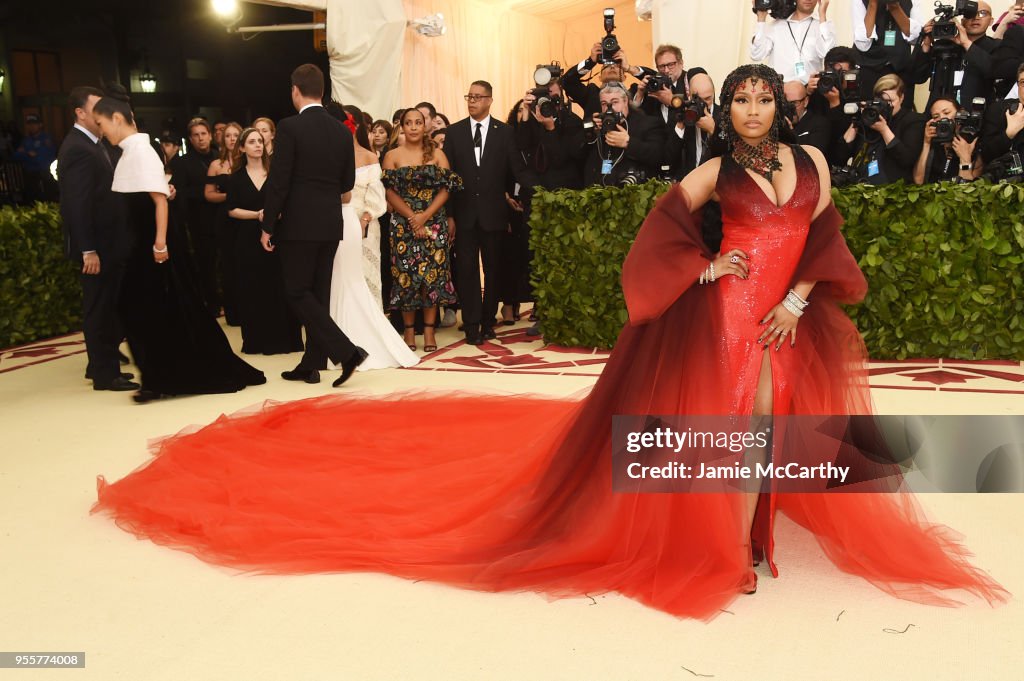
(40, 295)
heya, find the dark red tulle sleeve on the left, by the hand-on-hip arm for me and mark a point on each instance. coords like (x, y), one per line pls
(666, 260)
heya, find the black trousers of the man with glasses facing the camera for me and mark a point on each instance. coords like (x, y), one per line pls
(474, 245)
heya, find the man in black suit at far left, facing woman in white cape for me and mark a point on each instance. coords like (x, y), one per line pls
(97, 239)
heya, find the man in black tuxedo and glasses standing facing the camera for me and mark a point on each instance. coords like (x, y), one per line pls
(483, 152)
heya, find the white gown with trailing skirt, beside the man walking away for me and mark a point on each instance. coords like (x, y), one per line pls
(355, 309)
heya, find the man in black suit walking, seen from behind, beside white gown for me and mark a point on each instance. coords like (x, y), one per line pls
(314, 167)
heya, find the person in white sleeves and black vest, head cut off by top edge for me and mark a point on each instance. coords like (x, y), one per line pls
(883, 33)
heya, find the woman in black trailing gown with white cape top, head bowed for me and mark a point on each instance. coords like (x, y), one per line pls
(179, 348)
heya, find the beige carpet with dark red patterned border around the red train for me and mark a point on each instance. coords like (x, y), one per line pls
(76, 583)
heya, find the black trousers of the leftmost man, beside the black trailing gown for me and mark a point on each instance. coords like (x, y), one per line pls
(101, 322)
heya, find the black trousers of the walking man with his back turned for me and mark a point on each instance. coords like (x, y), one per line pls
(307, 268)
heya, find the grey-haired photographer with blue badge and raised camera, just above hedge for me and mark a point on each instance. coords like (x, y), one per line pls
(628, 146)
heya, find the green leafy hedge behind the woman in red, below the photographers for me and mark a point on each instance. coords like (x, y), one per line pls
(943, 264)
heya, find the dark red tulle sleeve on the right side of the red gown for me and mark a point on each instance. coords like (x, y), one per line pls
(828, 261)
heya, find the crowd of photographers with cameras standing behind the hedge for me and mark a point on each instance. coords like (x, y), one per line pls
(856, 104)
